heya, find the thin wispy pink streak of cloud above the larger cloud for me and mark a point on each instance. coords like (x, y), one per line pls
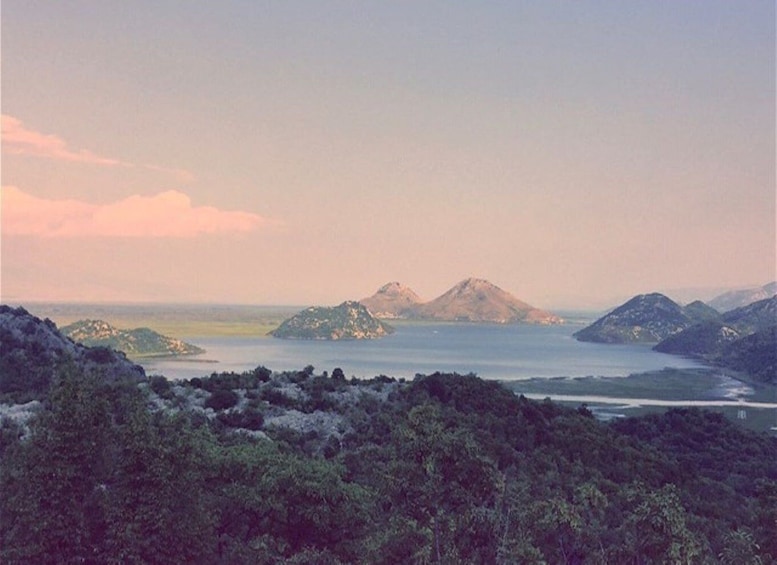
(18, 139)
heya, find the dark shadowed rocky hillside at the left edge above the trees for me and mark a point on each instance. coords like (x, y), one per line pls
(32, 349)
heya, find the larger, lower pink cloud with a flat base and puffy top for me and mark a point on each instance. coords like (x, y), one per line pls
(167, 214)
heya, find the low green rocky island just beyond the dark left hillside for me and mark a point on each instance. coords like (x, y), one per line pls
(139, 342)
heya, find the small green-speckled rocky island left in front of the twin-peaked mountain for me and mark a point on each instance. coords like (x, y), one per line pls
(349, 320)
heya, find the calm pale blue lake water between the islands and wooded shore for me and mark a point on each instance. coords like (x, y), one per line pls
(490, 351)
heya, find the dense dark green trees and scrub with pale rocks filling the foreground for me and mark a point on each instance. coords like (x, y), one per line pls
(443, 469)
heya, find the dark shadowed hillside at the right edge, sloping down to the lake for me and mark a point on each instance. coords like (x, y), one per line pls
(742, 339)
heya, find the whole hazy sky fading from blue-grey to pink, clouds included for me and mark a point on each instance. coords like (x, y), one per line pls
(250, 152)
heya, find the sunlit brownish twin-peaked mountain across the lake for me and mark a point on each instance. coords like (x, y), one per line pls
(471, 300)
